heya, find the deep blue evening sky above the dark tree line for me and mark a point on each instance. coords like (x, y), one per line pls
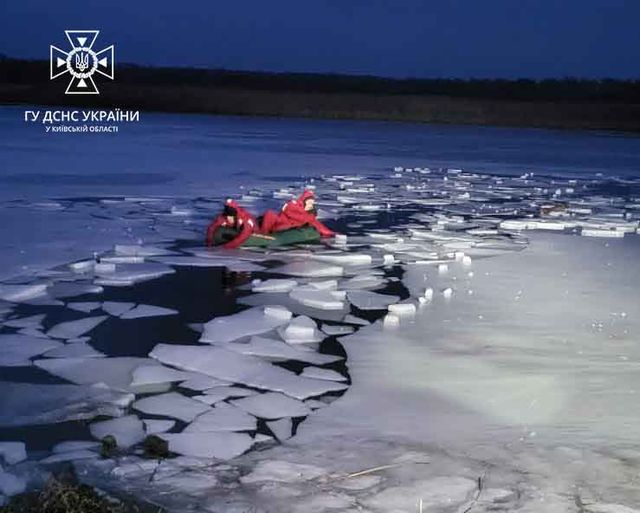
(398, 38)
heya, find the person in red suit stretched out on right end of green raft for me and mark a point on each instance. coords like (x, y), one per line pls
(295, 214)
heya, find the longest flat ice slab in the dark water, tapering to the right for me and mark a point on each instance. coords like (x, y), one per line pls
(237, 368)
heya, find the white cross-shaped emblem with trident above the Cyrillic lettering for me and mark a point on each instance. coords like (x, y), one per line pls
(81, 62)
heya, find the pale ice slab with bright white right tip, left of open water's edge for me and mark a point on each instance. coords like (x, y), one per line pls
(249, 322)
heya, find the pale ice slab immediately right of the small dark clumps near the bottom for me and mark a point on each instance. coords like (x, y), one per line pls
(220, 445)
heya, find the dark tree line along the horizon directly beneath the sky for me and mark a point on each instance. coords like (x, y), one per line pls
(33, 72)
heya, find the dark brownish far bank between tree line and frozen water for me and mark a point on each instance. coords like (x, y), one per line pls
(421, 109)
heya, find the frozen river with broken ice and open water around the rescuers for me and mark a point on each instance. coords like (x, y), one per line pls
(462, 351)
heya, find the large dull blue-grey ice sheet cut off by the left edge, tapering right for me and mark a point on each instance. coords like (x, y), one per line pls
(28, 403)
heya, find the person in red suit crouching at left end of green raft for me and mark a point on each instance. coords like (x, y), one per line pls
(232, 227)
